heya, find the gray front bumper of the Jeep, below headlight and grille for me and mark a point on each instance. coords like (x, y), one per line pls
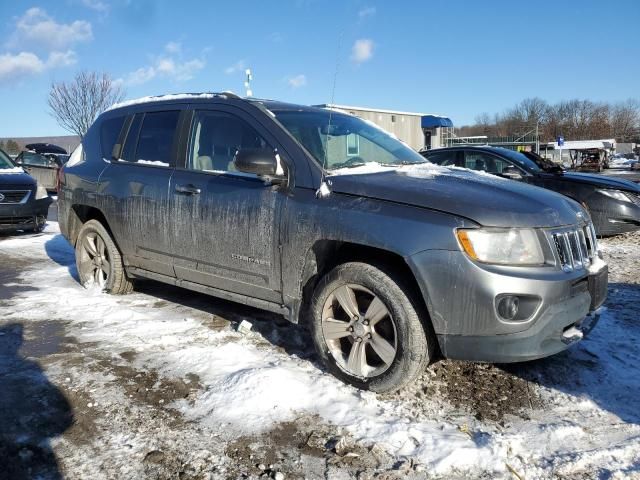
(461, 298)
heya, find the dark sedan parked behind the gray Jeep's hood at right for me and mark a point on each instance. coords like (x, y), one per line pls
(613, 203)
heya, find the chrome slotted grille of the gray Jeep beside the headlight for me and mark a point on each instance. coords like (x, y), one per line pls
(576, 247)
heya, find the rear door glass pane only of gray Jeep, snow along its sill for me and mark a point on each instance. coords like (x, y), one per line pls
(155, 142)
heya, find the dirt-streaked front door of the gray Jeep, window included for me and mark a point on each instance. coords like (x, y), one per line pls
(226, 225)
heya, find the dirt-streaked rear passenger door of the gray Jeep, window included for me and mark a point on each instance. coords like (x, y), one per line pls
(135, 188)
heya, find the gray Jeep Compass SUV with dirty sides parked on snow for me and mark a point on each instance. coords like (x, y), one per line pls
(326, 219)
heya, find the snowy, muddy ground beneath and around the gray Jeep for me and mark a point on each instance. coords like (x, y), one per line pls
(160, 384)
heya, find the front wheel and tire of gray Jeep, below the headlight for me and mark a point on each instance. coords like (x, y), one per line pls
(366, 329)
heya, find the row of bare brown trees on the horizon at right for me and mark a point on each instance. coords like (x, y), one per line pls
(573, 119)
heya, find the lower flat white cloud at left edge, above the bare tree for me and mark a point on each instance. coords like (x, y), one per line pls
(15, 67)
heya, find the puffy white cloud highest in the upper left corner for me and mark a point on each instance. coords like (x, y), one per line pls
(36, 28)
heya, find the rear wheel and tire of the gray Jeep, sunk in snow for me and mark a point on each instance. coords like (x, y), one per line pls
(98, 260)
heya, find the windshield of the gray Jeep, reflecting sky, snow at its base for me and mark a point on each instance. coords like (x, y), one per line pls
(347, 142)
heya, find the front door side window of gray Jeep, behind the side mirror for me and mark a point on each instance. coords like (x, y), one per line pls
(215, 139)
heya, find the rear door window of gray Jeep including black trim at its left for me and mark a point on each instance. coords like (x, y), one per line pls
(151, 138)
